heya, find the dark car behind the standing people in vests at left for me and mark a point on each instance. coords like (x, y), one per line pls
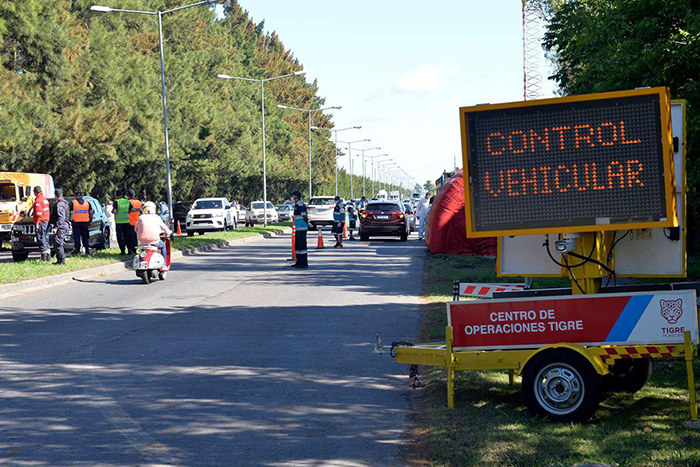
(24, 235)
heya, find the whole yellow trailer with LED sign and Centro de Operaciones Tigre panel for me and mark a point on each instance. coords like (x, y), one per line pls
(581, 168)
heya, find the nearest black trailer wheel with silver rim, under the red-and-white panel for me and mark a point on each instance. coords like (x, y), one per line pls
(561, 385)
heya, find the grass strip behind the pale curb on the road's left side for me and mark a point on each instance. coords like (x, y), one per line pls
(11, 272)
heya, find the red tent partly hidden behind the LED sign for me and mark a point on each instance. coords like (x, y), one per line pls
(447, 228)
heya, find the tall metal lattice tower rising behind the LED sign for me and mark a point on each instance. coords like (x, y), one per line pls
(532, 49)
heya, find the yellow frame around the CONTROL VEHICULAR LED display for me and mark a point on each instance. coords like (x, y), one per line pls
(667, 147)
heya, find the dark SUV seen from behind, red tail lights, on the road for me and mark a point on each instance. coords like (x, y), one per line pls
(384, 218)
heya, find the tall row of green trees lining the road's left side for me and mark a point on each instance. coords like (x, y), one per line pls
(81, 98)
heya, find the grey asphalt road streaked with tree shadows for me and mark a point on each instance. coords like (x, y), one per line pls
(234, 360)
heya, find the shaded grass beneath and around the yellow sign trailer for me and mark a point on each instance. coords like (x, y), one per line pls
(490, 425)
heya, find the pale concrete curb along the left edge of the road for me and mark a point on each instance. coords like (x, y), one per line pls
(34, 285)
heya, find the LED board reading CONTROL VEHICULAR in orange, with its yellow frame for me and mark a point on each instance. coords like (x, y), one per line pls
(573, 164)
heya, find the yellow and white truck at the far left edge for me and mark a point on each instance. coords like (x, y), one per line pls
(17, 195)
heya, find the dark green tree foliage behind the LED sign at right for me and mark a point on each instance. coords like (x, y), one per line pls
(607, 45)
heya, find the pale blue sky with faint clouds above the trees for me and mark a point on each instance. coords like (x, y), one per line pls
(402, 69)
